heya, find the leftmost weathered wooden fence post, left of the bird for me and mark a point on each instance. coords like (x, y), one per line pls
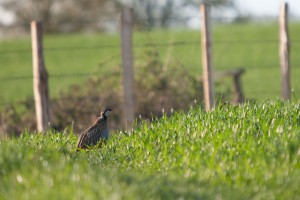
(40, 77)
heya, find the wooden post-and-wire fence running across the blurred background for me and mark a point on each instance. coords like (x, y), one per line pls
(206, 59)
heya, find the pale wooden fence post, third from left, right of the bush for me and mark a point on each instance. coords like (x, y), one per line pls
(208, 82)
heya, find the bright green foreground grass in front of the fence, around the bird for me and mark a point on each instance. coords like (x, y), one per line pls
(251, 151)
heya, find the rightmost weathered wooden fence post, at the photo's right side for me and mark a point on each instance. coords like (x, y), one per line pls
(284, 51)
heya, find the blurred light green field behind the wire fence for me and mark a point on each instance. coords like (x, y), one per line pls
(72, 58)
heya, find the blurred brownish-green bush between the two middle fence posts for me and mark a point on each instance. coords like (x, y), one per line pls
(162, 86)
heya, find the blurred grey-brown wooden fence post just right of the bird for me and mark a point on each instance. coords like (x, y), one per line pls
(127, 56)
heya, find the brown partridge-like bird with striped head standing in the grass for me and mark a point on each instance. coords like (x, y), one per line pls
(96, 133)
